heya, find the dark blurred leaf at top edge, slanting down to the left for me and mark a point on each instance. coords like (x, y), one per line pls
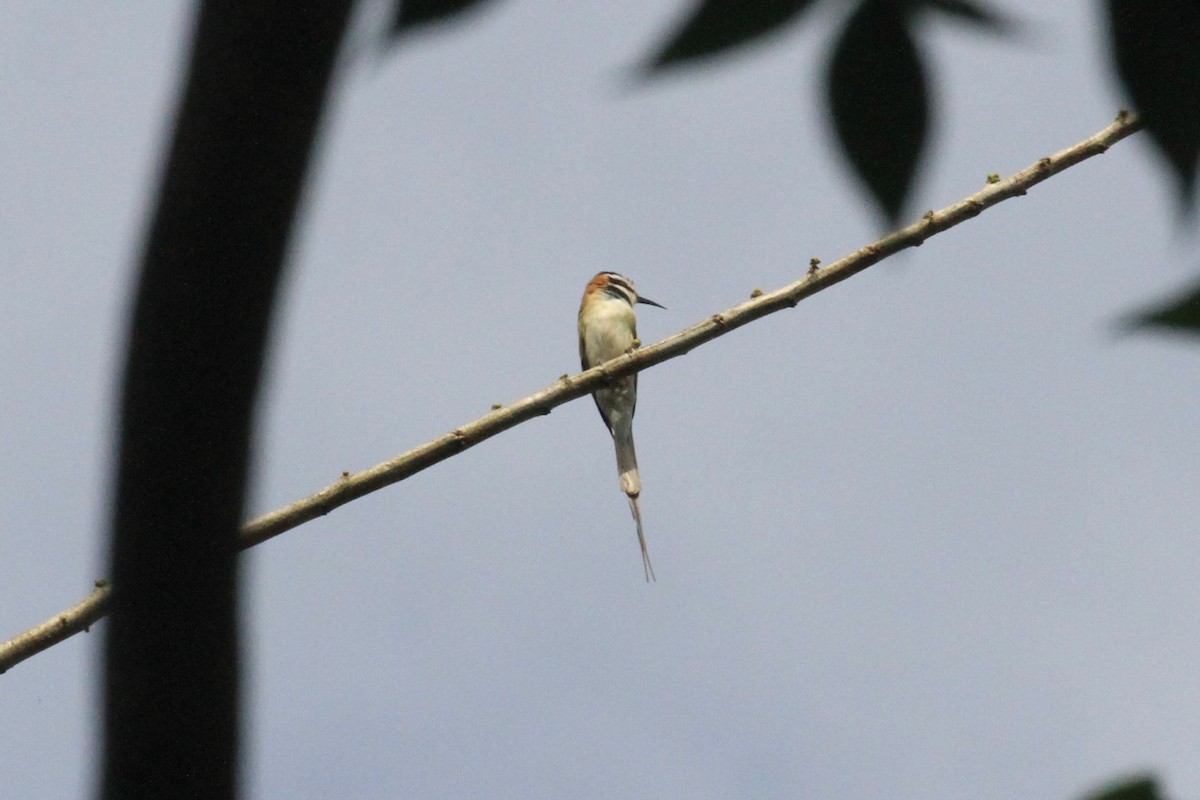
(717, 26)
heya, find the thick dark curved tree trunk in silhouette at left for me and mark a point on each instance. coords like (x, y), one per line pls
(257, 81)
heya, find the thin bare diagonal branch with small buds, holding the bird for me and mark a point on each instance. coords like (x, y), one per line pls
(568, 388)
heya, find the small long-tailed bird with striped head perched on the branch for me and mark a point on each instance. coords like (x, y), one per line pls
(608, 329)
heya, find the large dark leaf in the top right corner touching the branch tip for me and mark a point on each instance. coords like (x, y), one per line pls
(1156, 45)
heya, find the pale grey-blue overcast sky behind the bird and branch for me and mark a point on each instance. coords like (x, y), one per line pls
(931, 536)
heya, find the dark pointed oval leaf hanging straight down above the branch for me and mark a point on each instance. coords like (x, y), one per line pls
(879, 100)
